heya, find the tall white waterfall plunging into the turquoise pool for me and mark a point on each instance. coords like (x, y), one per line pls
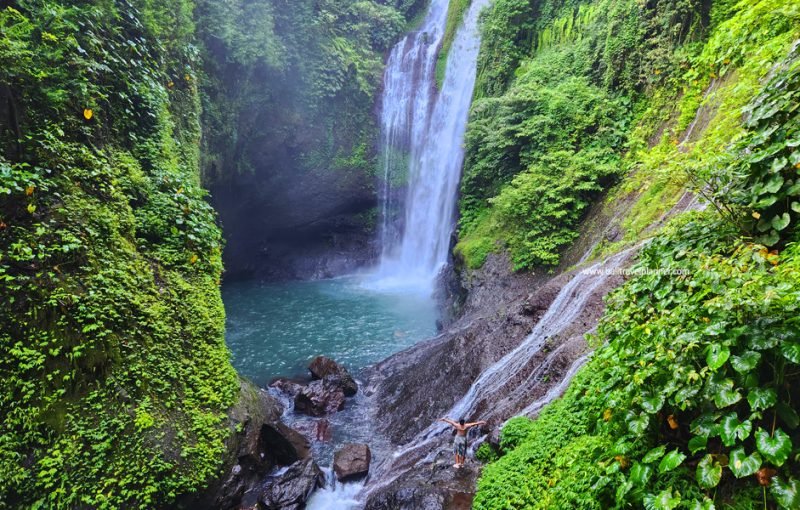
(422, 143)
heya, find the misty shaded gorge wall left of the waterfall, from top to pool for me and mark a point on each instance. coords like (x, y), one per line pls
(291, 135)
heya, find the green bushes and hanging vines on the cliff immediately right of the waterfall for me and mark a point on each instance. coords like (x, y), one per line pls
(560, 77)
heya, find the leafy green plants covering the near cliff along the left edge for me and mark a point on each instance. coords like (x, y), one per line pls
(115, 375)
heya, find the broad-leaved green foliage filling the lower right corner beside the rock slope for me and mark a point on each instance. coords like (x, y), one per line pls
(661, 390)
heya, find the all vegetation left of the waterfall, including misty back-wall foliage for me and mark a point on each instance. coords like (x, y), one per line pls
(115, 379)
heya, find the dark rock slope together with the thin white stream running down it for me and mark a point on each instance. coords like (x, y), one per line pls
(504, 357)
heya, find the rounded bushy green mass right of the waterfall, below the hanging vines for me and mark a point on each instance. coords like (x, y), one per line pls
(566, 134)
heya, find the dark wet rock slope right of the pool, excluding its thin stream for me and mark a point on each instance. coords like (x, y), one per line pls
(415, 387)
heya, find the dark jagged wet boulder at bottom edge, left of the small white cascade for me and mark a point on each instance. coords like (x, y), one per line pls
(292, 488)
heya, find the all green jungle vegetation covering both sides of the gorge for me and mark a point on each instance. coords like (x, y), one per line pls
(115, 380)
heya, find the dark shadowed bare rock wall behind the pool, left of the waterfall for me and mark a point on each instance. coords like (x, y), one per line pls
(281, 223)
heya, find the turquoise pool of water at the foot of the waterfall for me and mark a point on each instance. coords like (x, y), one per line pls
(276, 329)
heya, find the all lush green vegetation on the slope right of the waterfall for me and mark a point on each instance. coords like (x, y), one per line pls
(690, 400)
